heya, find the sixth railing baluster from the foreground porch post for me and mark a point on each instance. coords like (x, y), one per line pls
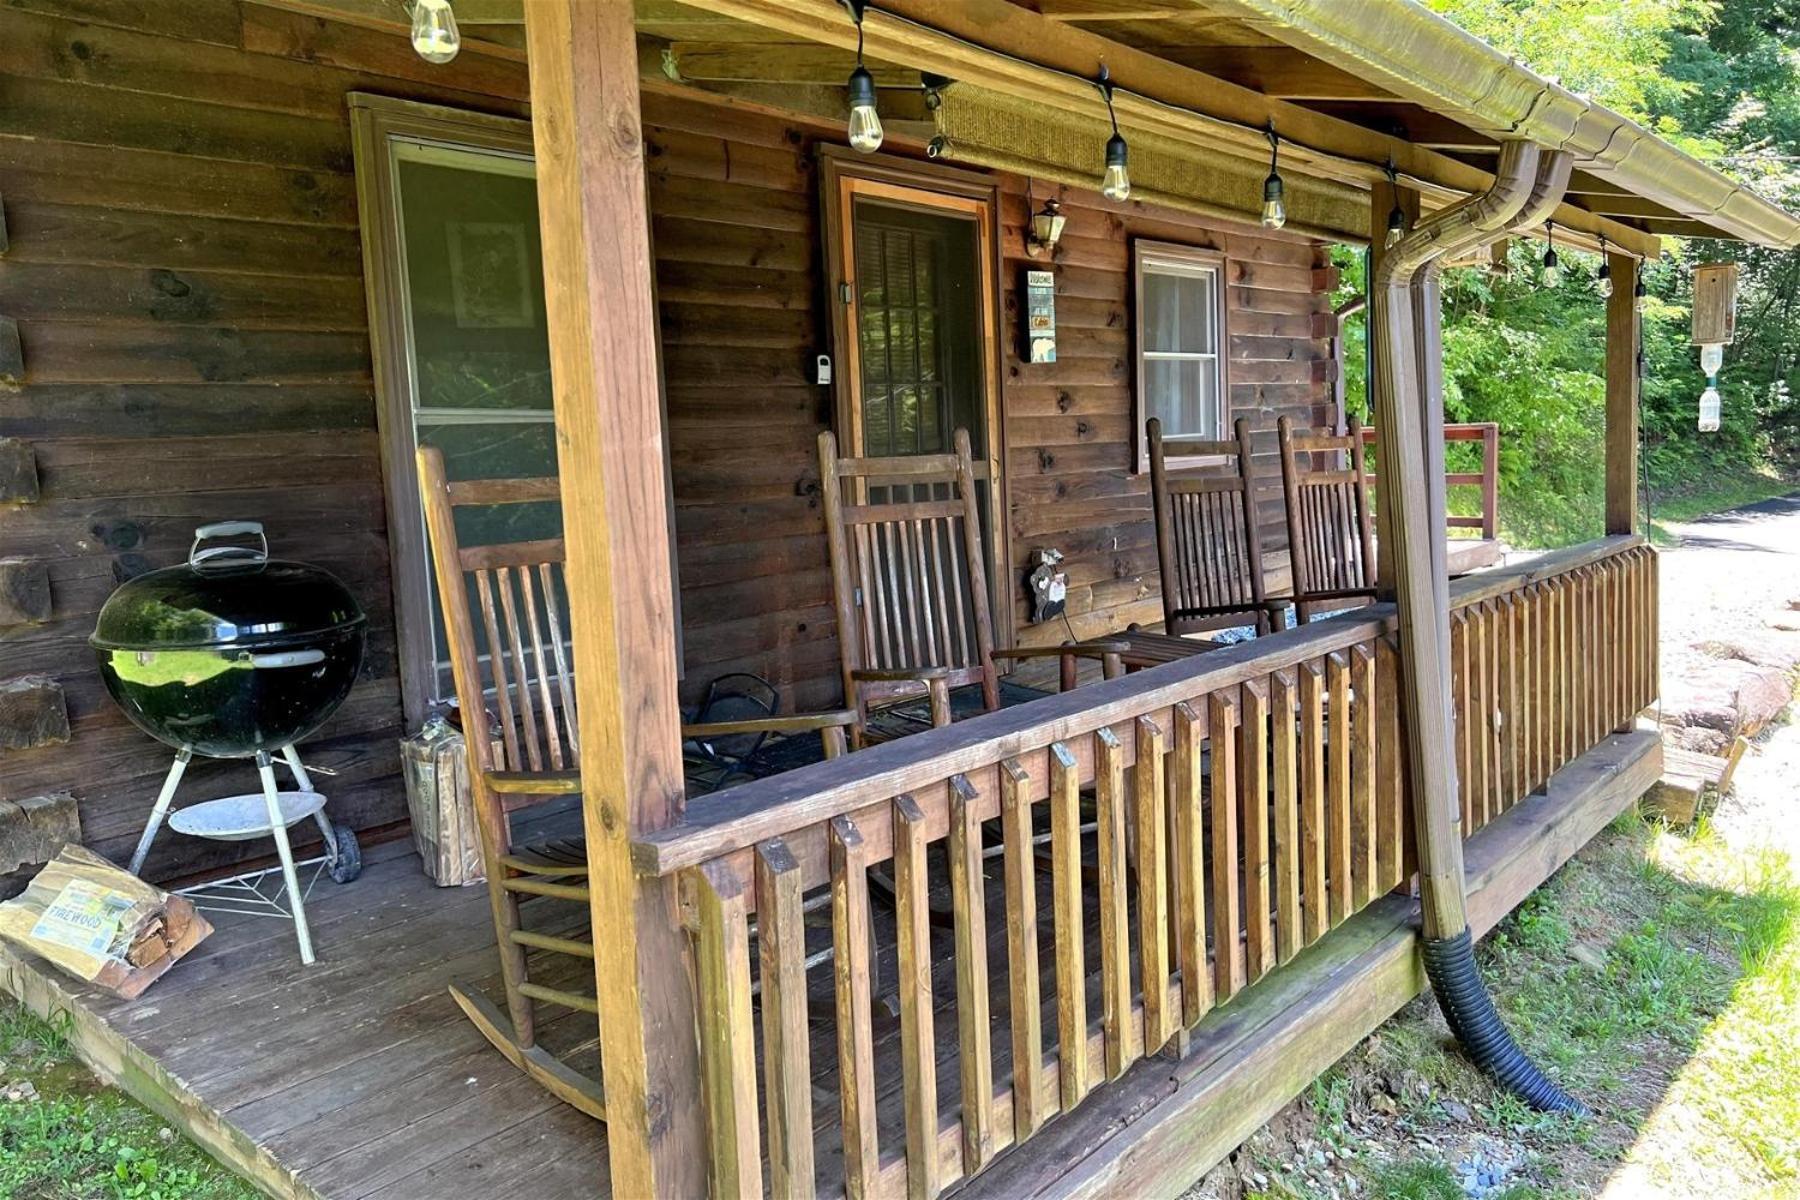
(1021, 953)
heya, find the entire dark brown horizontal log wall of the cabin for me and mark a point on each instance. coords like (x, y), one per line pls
(186, 280)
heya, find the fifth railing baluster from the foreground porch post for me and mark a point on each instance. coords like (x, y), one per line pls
(975, 1034)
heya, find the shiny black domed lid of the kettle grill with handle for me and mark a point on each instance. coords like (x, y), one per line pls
(226, 596)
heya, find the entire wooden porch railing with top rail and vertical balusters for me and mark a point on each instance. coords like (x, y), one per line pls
(1176, 834)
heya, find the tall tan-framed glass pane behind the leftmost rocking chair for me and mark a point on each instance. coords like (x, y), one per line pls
(462, 348)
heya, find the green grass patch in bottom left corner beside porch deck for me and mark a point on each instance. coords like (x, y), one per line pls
(84, 1142)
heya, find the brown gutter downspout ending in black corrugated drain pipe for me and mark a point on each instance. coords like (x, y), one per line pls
(1407, 348)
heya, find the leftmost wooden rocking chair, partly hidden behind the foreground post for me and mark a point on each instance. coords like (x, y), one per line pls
(519, 665)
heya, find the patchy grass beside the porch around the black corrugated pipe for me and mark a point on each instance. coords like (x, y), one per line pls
(1659, 978)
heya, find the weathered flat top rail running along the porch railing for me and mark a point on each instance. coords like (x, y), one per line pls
(741, 818)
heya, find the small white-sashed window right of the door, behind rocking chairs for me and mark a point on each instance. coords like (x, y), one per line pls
(1182, 337)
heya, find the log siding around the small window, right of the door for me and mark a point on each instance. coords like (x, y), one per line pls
(1070, 425)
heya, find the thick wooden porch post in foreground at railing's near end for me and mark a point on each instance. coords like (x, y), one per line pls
(604, 368)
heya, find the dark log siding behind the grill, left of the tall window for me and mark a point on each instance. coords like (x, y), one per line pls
(186, 276)
